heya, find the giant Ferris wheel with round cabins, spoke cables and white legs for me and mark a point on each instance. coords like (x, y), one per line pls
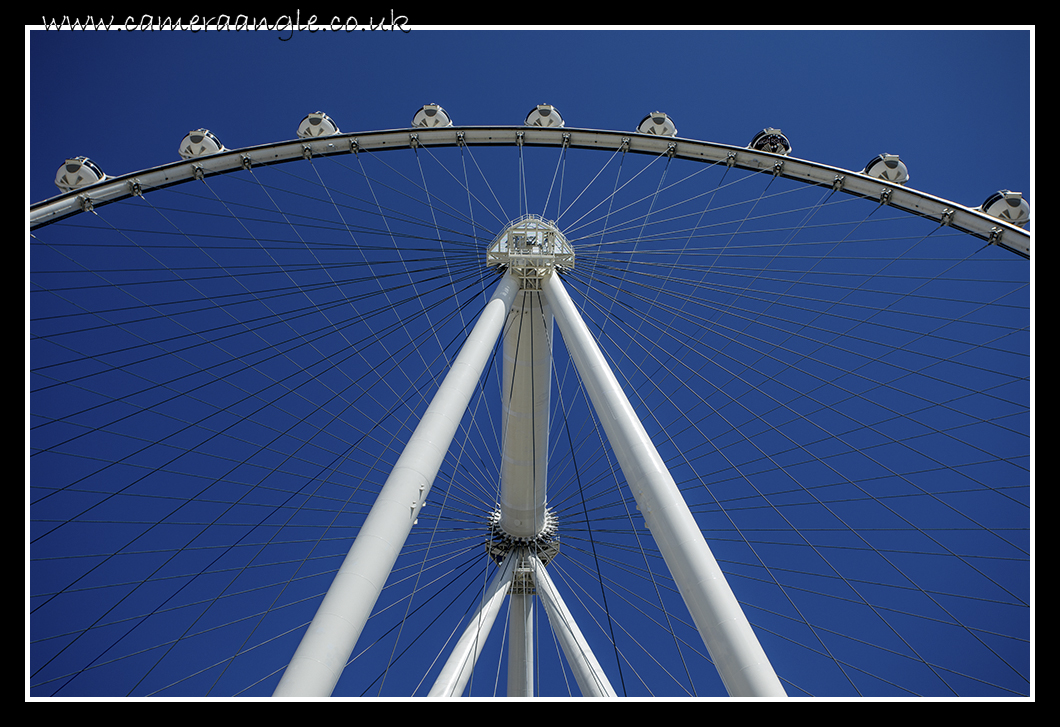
(526, 411)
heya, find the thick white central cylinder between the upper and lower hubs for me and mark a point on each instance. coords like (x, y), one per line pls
(525, 402)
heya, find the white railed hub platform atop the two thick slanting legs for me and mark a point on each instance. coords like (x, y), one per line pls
(532, 247)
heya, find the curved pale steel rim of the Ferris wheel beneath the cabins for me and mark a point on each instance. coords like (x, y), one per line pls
(966, 220)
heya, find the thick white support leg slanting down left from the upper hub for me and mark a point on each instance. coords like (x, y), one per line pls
(327, 646)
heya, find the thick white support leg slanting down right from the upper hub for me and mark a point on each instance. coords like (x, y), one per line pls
(734, 648)
